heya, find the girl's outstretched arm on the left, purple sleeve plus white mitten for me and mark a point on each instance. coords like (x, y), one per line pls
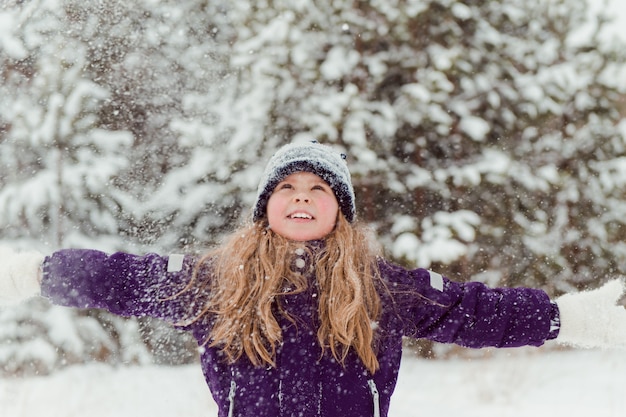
(122, 283)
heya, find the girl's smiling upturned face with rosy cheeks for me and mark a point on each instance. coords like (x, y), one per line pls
(302, 207)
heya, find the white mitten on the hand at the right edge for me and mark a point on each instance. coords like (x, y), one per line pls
(592, 318)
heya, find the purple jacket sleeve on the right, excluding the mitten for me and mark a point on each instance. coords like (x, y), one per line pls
(471, 314)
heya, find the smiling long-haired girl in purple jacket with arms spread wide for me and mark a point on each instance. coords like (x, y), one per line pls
(297, 314)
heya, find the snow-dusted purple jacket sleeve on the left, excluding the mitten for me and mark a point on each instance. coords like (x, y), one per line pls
(121, 283)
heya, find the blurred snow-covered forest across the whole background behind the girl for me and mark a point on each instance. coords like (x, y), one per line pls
(487, 139)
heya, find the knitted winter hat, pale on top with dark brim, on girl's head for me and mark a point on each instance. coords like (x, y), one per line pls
(313, 157)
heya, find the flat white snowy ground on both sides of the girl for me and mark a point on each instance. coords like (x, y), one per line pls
(509, 384)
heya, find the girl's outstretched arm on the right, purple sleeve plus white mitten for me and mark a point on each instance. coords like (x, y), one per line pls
(474, 315)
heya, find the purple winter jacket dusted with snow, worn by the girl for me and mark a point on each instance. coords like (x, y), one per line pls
(419, 304)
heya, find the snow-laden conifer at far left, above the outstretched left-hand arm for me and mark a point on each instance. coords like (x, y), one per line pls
(58, 163)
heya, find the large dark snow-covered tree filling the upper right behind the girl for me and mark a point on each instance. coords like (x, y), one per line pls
(476, 130)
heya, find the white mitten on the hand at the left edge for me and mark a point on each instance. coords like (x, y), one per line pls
(19, 275)
